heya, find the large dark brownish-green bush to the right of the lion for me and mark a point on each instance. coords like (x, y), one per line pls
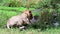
(46, 18)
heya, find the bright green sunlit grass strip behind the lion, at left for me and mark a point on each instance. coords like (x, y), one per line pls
(14, 8)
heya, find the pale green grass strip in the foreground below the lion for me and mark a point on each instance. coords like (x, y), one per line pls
(29, 31)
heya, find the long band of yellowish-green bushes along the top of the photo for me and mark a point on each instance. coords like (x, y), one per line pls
(27, 3)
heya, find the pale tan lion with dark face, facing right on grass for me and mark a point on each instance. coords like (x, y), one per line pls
(20, 20)
